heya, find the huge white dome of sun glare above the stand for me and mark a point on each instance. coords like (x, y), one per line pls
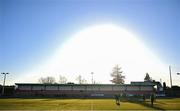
(98, 49)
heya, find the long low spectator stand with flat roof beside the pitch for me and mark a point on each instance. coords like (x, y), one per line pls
(83, 90)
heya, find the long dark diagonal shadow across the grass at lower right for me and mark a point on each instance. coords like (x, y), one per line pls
(146, 104)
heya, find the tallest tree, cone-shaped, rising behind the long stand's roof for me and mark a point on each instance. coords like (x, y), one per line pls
(117, 76)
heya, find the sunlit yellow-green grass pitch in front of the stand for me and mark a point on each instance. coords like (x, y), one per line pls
(86, 104)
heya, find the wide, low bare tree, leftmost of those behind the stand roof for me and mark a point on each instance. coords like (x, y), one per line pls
(47, 80)
